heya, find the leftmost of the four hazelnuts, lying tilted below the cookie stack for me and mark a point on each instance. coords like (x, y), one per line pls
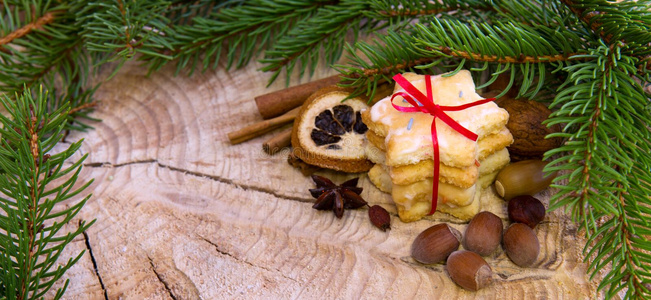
(434, 244)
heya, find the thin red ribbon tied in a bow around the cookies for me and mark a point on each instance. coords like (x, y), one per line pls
(428, 106)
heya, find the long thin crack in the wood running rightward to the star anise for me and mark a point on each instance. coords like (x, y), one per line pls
(220, 179)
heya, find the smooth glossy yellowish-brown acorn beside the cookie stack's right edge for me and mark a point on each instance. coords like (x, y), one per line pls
(522, 178)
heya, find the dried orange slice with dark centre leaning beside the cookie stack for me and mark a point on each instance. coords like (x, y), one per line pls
(329, 133)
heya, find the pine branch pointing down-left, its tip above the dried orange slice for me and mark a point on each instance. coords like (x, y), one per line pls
(327, 29)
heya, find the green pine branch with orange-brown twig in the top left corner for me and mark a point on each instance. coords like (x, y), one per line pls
(42, 47)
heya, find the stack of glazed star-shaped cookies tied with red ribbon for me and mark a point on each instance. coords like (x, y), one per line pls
(400, 145)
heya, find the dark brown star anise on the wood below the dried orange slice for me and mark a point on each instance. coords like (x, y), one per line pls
(336, 197)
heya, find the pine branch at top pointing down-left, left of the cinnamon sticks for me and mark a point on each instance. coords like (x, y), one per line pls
(241, 31)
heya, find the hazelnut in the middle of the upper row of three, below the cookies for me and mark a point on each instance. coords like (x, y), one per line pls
(483, 234)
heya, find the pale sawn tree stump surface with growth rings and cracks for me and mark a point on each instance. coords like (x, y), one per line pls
(182, 214)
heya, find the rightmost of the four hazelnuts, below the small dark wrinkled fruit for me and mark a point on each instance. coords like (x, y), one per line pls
(521, 244)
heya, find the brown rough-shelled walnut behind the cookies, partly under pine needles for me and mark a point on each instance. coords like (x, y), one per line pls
(525, 123)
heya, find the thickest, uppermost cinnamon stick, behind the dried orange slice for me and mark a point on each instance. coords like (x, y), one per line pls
(276, 103)
